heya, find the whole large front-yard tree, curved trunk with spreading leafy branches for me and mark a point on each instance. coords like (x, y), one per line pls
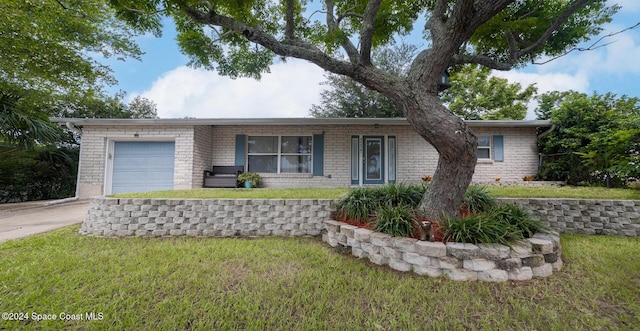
(242, 38)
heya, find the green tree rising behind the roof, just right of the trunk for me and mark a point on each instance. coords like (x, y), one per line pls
(475, 95)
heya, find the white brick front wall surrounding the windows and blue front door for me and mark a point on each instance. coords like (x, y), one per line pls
(415, 157)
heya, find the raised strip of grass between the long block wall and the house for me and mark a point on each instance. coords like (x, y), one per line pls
(517, 191)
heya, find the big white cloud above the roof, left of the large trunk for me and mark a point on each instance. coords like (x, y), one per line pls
(288, 91)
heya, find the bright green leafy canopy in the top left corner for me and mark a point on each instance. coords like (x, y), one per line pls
(48, 47)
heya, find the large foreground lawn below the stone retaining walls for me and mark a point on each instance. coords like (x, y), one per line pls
(300, 284)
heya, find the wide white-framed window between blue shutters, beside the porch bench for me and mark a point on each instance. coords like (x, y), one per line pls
(279, 154)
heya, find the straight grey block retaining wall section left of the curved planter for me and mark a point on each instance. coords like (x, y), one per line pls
(113, 217)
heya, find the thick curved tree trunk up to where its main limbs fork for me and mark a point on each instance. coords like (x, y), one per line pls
(456, 144)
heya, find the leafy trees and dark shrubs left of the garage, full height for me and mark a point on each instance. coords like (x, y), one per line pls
(48, 51)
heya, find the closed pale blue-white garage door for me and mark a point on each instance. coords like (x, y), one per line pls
(142, 166)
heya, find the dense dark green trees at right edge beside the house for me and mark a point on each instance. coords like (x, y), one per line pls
(596, 140)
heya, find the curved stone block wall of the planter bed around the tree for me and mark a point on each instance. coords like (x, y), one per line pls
(533, 257)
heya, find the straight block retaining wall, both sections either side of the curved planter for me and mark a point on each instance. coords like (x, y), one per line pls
(300, 217)
